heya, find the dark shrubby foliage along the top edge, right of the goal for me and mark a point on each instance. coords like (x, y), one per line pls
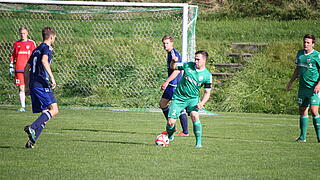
(266, 9)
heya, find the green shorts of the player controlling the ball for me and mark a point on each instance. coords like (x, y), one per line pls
(177, 105)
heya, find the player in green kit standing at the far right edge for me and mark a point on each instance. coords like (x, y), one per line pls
(307, 69)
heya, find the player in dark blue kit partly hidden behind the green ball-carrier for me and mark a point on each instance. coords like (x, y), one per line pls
(171, 83)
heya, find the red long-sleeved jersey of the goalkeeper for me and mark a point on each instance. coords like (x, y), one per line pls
(22, 50)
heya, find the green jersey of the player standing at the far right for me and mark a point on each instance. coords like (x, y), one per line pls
(309, 65)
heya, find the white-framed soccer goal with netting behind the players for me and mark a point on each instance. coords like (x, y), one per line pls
(107, 54)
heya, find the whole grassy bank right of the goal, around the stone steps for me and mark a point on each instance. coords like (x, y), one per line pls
(259, 87)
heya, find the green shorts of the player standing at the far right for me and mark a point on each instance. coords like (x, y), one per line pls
(307, 97)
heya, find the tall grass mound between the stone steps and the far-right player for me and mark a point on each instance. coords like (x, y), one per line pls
(260, 87)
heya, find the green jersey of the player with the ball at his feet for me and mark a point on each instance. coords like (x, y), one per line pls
(191, 82)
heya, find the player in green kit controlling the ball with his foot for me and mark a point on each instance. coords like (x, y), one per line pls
(186, 95)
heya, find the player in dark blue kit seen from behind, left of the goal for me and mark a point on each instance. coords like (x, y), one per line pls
(39, 77)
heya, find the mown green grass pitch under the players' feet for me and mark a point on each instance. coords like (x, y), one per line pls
(98, 144)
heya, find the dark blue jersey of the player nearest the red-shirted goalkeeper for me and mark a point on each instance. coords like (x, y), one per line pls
(39, 77)
